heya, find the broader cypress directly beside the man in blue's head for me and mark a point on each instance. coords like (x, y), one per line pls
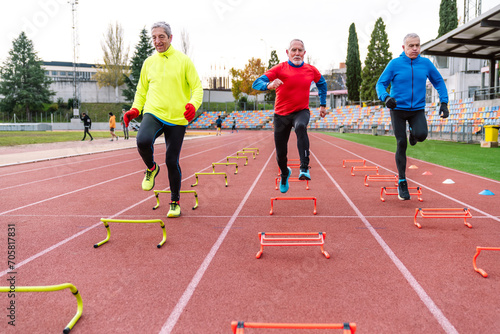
(376, 60)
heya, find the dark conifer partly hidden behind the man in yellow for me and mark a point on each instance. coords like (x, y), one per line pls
(143, 50)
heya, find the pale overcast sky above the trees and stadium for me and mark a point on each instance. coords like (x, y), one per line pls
(222, 32)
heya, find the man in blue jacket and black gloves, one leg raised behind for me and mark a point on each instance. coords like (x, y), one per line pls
(407, 76)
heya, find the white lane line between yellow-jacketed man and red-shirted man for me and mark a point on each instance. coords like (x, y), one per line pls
(186, 296)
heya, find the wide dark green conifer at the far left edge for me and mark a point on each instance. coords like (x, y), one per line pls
(22, 79)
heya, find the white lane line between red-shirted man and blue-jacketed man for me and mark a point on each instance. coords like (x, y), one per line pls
(429, 303)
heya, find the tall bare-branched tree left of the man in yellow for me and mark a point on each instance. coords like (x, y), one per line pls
(114, 68)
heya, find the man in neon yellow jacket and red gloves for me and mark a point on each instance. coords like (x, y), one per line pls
(169, 92)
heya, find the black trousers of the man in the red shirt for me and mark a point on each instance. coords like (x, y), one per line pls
(282, 128)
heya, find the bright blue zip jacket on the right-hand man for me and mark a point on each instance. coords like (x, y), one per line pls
(408, 78)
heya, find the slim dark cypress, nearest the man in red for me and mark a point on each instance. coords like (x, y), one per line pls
(353, 65)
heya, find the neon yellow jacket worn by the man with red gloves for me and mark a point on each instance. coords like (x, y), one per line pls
(168, 82)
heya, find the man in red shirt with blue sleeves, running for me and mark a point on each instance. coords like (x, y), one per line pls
(292, 81)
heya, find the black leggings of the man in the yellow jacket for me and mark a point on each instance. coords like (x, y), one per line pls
(151, 128)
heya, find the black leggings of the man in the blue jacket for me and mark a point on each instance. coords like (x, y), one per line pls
(418, 124)
